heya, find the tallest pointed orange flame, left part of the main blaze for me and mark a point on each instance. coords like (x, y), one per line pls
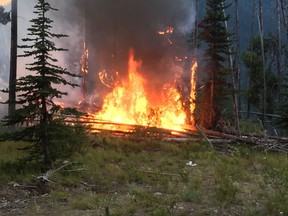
(127, 103)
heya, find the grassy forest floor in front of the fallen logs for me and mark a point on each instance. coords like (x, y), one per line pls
(129, 176)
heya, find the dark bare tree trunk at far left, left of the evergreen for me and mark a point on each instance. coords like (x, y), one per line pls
(13, 60)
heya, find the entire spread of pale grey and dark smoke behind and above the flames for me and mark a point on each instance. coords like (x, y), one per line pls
(110, 28)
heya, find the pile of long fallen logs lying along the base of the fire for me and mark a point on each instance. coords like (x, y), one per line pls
(97, 126)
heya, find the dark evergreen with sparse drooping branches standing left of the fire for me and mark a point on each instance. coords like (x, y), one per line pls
(37, 91)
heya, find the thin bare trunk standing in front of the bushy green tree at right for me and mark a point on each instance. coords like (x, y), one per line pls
(260, 22)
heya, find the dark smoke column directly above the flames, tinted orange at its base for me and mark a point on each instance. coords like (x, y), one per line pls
(112, 27)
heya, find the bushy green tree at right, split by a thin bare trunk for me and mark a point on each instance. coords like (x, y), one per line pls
(253, 61)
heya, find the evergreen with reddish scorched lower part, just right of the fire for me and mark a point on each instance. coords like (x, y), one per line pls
(216, 40)
